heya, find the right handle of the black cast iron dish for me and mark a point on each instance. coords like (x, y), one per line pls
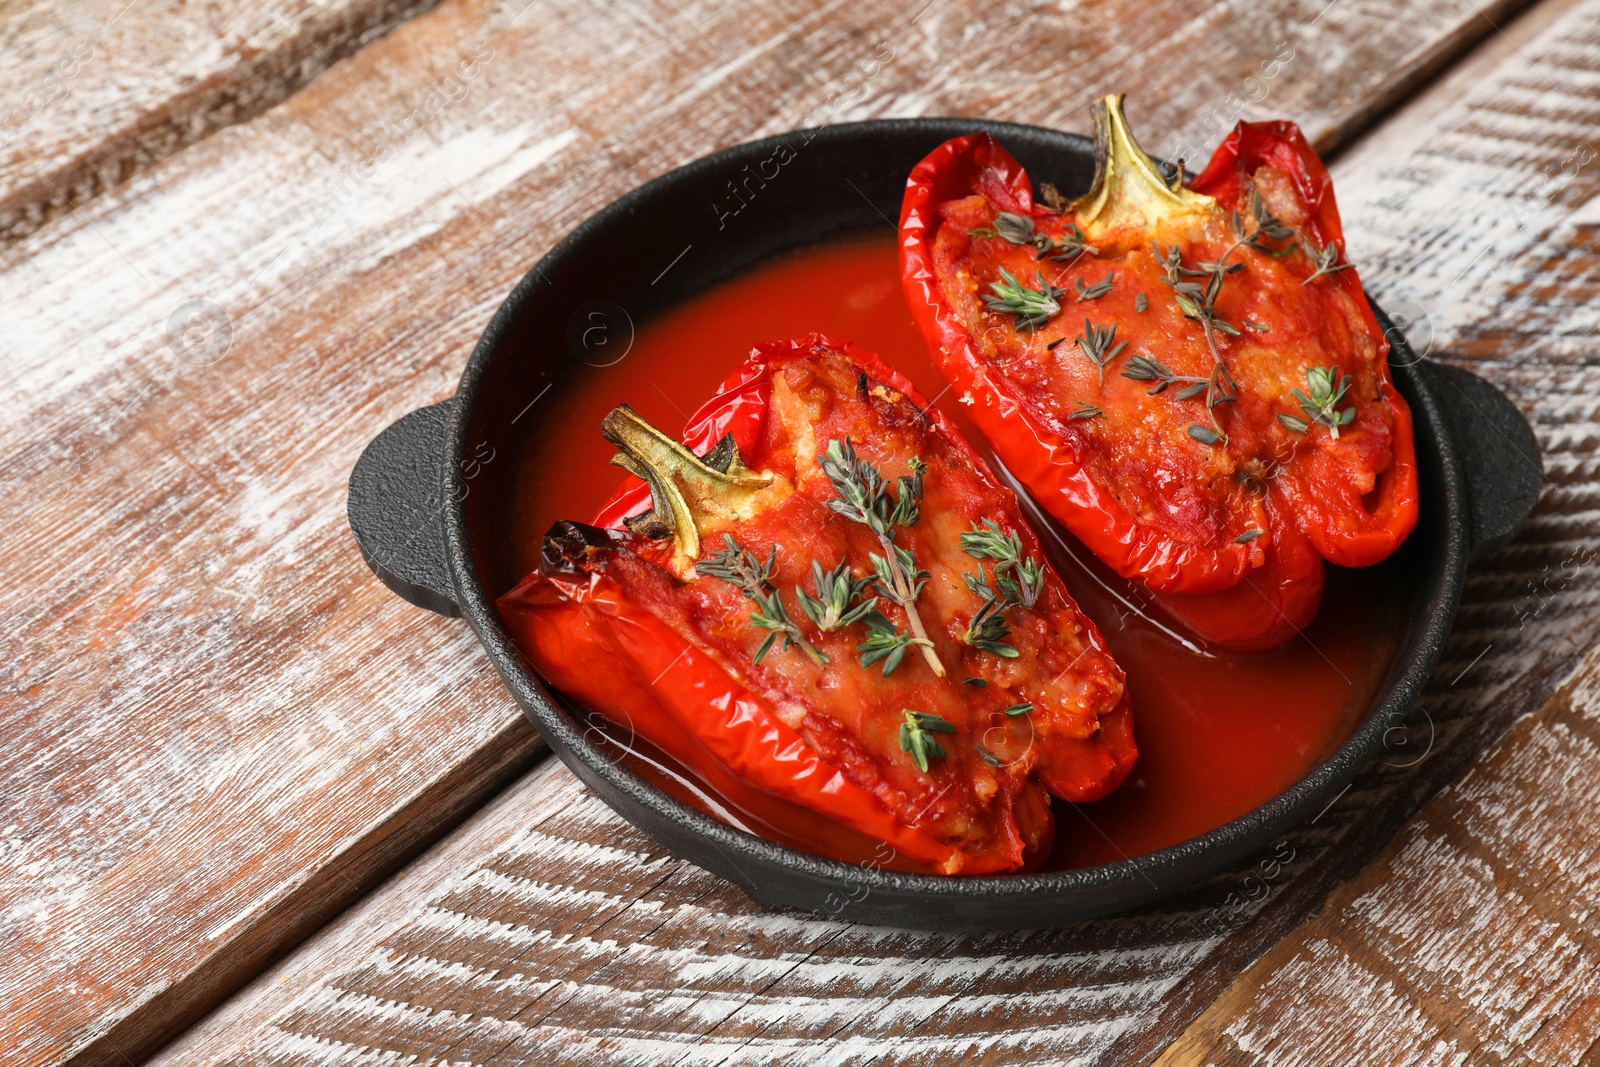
(1500, 455)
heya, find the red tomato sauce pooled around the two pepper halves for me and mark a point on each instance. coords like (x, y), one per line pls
(1220, 733)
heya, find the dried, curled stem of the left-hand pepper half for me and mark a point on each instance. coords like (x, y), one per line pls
(684, 489)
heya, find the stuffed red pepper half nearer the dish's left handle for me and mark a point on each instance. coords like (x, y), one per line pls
(825, 596)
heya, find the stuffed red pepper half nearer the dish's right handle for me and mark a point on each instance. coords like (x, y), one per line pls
(1188, 377)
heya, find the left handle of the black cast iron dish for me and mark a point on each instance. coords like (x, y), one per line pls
(398, 508)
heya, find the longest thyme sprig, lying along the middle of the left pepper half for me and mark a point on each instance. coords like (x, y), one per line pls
(865, 498)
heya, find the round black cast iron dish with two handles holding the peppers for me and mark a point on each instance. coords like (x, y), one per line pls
(430, 502)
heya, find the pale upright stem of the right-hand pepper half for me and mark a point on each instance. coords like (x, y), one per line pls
(1129, 188)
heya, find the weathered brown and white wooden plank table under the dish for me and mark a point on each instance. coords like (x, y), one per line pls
(258, 812)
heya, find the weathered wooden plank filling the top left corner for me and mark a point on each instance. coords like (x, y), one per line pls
(97, 90)
